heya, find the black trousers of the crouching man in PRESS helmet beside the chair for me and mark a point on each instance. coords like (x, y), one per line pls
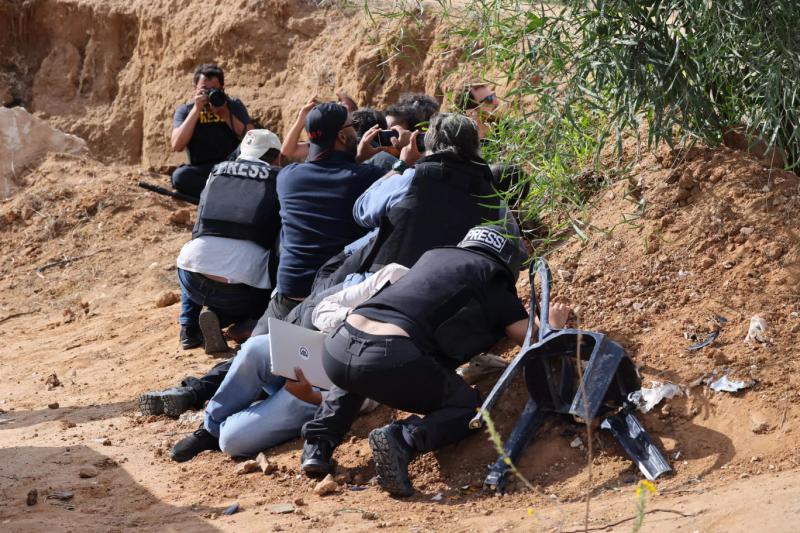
(393, 371)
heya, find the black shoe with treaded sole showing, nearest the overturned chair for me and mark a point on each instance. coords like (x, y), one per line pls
(391, 455)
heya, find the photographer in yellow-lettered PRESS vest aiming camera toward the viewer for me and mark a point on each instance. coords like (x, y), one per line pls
(209, 129)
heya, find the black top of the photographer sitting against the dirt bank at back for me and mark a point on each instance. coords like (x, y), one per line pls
(213, 139)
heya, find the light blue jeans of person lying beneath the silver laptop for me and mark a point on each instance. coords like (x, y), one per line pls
(245, 428)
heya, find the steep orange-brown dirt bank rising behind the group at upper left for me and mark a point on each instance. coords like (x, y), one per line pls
(114, 72)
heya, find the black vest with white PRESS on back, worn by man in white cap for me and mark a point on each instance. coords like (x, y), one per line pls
(240, 201)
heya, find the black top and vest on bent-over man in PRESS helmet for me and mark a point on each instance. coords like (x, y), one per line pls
(442, 283)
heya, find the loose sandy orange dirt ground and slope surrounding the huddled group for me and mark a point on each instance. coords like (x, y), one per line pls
(87, 256)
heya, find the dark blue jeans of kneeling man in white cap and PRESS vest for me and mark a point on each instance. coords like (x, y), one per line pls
(231, 302)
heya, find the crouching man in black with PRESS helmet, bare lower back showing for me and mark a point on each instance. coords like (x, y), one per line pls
(402, 346)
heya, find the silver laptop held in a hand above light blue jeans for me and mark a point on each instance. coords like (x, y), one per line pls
(291, 346)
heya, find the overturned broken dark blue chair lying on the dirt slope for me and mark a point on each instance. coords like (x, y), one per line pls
(551, 376)
